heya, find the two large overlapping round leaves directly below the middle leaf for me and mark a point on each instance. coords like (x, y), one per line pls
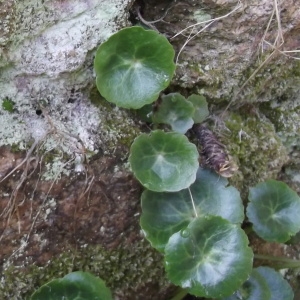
(205, 249)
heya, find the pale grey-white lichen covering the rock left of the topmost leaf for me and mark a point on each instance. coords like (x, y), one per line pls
(52, 62)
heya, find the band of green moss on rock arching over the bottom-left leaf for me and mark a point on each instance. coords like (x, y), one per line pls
(125, 270)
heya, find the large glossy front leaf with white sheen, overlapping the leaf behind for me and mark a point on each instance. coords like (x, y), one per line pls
(210, 257)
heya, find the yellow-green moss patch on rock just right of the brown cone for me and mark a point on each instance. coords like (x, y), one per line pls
(254, 144)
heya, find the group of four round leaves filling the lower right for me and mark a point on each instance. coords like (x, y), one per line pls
(208, 254)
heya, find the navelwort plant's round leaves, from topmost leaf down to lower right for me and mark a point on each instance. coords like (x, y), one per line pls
(190, 214)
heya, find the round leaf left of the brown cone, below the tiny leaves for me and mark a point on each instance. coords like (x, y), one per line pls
(164, 161)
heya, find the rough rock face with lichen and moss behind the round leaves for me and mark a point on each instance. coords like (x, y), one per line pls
(72, 203)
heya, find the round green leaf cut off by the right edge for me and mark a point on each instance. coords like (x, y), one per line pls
(274, 210)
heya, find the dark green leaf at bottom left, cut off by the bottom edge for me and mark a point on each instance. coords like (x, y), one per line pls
(77, 285)
